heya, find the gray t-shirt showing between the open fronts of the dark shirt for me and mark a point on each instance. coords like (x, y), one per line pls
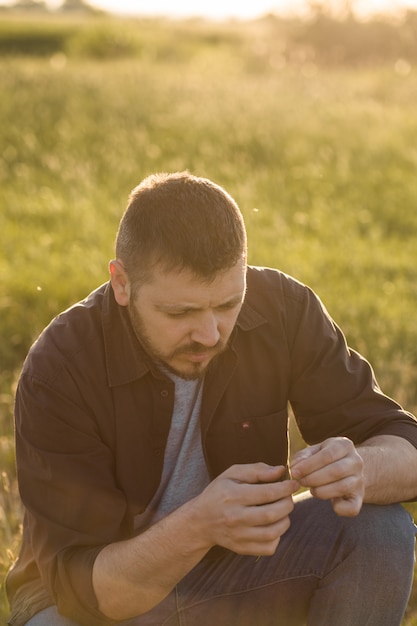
(185, 473)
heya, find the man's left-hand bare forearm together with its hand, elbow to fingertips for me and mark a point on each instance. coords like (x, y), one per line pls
(246, 510)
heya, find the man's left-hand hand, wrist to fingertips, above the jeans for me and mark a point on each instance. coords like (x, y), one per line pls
(246, 509)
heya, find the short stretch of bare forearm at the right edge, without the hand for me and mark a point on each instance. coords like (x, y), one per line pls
(390, 469)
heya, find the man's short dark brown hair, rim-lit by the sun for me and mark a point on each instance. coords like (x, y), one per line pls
(180, 221)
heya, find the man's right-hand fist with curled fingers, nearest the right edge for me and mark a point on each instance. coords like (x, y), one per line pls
(332, 470)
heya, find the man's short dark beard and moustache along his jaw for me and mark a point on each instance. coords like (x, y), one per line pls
(192, 371)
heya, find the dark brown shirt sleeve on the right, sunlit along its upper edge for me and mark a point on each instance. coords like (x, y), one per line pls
(334, 391)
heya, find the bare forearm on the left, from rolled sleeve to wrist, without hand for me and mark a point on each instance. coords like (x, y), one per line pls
(131, 577)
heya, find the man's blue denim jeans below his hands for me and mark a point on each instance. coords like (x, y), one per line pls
(327, 570)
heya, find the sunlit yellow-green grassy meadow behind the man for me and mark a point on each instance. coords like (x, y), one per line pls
(321, 157)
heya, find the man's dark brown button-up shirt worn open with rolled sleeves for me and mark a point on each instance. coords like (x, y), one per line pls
(93, 415)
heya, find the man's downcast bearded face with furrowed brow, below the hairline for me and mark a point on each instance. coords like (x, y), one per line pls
(182, 321)
